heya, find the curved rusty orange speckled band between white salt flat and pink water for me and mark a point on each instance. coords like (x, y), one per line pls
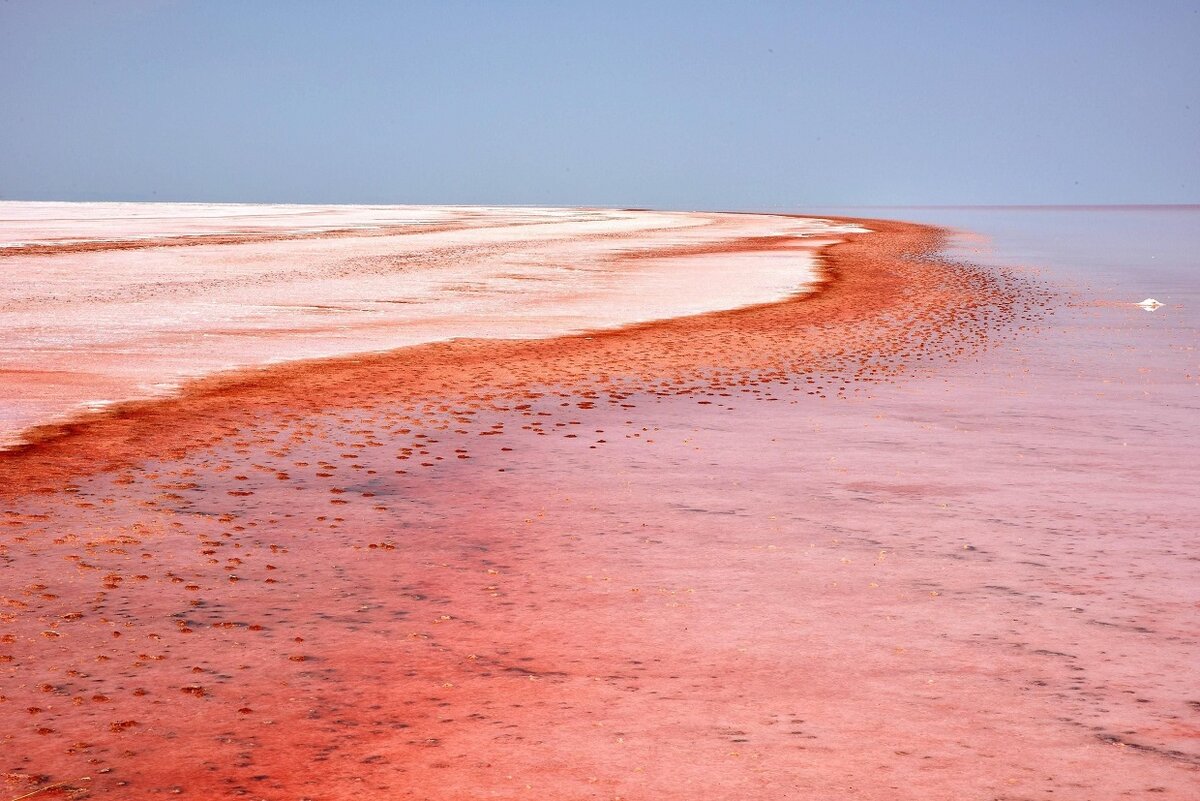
(886, 302)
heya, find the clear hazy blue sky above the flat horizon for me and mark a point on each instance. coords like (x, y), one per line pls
(668, 105)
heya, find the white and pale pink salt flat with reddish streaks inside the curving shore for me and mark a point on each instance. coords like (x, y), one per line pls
(109, 303)
